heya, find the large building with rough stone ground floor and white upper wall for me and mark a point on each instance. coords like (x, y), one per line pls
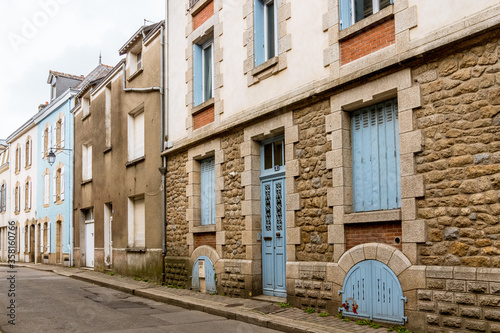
(286, 159)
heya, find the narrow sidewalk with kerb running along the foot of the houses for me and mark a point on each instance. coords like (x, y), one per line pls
(252, 311)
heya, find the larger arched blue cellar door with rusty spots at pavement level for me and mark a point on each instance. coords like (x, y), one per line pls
(372, 290)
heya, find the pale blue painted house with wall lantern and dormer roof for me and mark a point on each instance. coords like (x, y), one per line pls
(54, 175)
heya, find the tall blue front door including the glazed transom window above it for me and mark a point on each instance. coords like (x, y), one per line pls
(273, 218)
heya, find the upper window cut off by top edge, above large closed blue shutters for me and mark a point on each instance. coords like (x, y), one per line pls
(352, 11)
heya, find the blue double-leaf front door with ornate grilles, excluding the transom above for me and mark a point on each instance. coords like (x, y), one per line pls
(273, 237)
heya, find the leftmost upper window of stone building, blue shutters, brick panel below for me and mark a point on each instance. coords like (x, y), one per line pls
(203, 72)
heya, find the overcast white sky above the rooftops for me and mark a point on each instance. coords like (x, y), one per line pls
(62, 35)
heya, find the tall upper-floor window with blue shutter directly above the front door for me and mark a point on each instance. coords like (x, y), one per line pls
(266, 30)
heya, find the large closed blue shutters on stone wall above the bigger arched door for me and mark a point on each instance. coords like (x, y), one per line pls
(375, 157)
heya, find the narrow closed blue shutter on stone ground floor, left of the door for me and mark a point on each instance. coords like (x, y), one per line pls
(207, 191)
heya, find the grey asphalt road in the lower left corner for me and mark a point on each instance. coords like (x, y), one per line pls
(47, 302)
